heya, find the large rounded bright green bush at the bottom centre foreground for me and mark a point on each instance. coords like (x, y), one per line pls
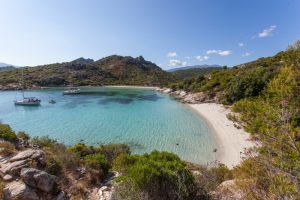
(158, 175)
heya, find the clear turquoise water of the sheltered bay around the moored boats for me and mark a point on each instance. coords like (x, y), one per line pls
(143, 118)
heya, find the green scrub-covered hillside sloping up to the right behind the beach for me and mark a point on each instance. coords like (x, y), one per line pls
(241, 81)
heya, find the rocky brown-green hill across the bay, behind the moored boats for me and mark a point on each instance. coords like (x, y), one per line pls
(109, 70)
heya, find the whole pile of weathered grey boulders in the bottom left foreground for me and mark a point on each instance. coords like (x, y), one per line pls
(28, 183)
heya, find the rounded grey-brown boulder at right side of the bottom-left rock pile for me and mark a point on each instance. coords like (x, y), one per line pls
(39, 179)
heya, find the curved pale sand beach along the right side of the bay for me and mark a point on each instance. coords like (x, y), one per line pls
(231, 141)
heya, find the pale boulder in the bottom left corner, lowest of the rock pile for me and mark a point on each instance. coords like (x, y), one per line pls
(19, 190)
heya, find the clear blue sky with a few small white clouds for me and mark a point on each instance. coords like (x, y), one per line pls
(169, 33)
